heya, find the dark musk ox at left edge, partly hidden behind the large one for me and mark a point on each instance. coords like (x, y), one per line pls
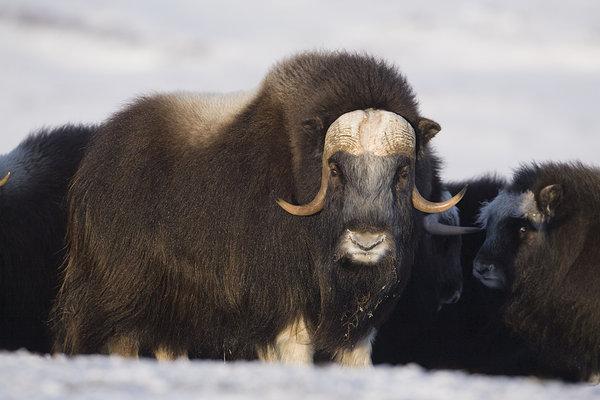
(33, 218)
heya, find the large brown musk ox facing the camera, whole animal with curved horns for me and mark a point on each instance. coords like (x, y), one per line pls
(178, 246)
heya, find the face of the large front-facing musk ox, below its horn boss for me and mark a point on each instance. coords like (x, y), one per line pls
(369, 204)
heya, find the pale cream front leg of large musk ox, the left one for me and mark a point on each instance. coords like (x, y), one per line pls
(293, 345)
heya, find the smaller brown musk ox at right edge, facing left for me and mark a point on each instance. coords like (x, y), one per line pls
(542, 248)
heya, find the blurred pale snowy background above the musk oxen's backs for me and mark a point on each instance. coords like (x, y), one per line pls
(509, 81)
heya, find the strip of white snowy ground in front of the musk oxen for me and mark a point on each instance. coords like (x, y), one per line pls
(31, 377)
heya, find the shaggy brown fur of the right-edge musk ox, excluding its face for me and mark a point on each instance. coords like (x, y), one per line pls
(553, 302)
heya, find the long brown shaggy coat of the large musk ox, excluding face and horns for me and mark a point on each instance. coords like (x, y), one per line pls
(181, 245)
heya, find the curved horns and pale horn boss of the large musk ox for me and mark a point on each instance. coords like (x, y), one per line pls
(380, 133)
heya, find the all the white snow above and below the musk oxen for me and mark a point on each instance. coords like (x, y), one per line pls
(509, 81)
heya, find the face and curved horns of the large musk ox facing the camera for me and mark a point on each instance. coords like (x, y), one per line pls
(367, 178)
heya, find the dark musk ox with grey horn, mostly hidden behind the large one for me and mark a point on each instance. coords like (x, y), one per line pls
(436, 281)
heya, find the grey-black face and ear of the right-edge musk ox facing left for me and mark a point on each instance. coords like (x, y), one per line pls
(515, 224)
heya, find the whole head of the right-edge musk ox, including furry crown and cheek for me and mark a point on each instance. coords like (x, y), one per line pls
(526, 223)
